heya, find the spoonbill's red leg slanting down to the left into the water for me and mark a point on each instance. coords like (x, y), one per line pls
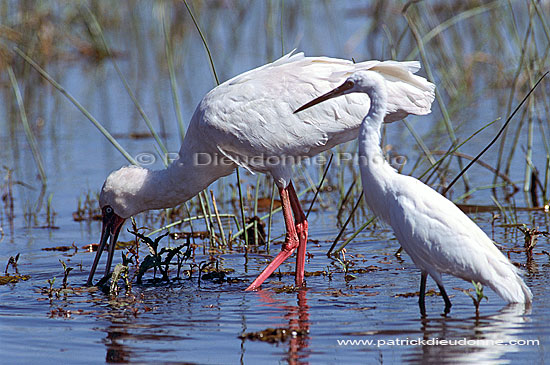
(291, 240)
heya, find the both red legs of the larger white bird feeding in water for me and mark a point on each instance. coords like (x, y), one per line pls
(292, 241)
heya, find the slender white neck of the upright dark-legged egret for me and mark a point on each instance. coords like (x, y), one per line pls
(376, 173)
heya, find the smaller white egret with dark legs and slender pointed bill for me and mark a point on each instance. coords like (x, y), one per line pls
(435, 233)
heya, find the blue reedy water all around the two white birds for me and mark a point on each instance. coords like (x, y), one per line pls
(187, 323)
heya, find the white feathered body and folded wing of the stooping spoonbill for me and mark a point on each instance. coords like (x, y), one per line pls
(250, 117)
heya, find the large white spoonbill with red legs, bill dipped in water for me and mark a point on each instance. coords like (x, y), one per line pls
(248, 121)
